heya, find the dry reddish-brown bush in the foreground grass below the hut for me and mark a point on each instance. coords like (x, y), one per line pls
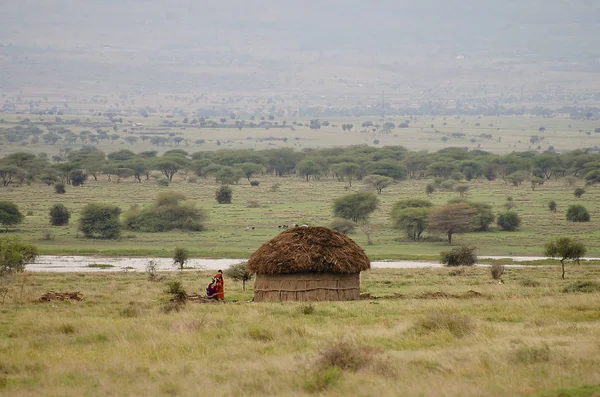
(345, 355)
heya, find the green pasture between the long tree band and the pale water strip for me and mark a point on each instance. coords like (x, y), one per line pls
(296, 202)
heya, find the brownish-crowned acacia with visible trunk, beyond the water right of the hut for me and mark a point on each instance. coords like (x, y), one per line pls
(451, 218)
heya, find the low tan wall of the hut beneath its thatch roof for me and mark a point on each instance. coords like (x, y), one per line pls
(307, 287)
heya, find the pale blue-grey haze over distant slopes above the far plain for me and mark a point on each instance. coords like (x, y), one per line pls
(455, 48)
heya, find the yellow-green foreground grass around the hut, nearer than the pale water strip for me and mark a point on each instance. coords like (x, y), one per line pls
(421, 332)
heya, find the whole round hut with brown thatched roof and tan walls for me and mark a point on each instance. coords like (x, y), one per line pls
(308, 264)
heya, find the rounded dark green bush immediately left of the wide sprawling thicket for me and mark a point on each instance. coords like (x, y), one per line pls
(100, 221)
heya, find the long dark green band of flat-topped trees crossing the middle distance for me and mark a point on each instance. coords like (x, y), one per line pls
(343, 164)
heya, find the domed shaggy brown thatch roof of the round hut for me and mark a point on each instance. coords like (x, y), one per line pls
(309, 249)
